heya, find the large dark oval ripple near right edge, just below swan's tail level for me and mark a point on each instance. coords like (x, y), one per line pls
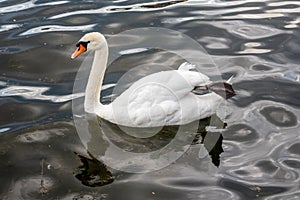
(279, 116)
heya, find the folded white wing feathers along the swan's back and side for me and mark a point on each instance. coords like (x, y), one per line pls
(163, 98)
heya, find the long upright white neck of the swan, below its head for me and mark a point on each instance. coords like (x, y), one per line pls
(92, 102)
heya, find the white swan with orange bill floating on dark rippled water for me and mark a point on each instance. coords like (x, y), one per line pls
(173, 97)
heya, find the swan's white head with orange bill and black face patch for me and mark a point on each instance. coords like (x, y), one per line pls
(89, 42)
